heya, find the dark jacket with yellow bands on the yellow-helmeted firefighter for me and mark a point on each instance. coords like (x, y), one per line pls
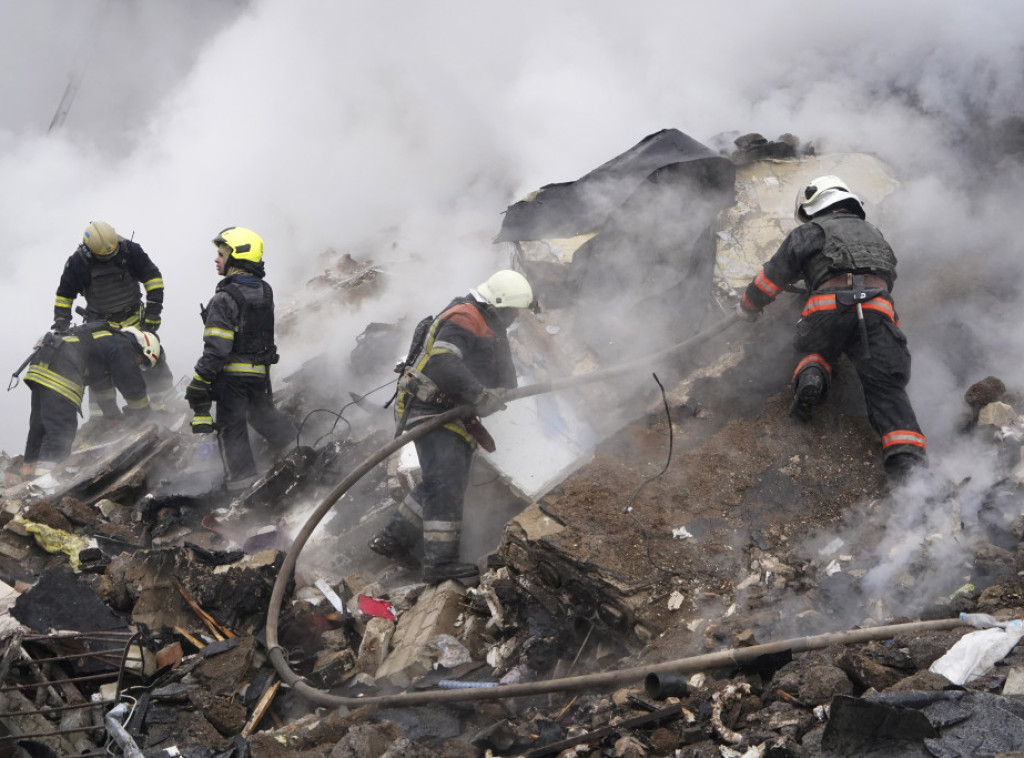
(238, 334)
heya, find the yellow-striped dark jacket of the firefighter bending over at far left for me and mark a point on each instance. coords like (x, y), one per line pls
(93, 356)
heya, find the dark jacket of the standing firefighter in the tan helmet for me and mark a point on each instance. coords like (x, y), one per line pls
(113, 287)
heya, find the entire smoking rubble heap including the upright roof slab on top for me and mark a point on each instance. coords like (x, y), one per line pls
(689, 573)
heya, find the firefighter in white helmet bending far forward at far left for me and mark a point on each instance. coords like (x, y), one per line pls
(90, 356)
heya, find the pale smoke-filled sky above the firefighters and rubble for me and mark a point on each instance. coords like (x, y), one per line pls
(319, 123)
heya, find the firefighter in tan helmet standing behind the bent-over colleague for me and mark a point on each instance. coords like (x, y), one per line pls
(112, 272)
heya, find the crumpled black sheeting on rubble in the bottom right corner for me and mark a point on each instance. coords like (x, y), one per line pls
(943, 725)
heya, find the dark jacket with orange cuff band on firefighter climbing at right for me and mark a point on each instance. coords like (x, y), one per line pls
(833, 244)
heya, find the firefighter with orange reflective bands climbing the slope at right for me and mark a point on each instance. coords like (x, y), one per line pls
(849, 270)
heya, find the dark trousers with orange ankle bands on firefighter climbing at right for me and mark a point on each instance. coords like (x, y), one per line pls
(884, 370)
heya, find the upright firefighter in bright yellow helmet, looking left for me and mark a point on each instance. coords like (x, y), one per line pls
(238, 352)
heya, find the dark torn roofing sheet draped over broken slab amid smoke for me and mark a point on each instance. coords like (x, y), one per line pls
(631, 243)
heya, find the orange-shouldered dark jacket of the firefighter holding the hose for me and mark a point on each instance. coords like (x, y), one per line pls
(465, 351)
